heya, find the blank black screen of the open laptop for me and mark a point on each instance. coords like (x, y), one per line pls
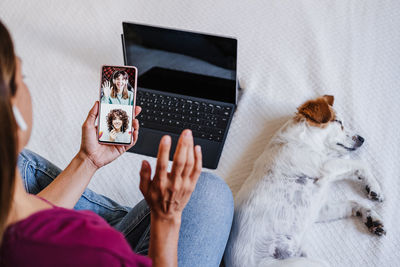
(181, 62)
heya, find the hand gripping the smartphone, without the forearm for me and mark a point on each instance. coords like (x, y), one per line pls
(97, 153)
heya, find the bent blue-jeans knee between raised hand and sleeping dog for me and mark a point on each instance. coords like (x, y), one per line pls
(206, 223)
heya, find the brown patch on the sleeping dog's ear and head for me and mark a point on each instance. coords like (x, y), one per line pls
(317, 112)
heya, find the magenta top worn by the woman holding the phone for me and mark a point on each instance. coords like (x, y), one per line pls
(63, 237)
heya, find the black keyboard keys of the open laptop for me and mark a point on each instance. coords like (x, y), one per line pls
(174, 114)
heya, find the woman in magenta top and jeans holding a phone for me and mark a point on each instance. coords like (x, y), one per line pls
(39, 227)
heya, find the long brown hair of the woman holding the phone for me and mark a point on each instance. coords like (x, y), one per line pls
(8, 129)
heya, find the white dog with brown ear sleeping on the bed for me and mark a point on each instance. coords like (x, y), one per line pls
(285, 193)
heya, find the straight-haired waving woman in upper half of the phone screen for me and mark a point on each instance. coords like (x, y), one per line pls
(117, 92)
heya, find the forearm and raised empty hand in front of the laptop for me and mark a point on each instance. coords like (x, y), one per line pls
(167, 195)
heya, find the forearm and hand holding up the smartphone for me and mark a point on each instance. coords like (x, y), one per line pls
(68, 187)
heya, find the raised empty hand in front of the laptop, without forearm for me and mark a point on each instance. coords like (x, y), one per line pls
(168, 192)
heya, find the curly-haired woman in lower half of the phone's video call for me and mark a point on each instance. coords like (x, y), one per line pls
(117, 123)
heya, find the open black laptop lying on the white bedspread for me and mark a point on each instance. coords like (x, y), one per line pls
(186, 80)
